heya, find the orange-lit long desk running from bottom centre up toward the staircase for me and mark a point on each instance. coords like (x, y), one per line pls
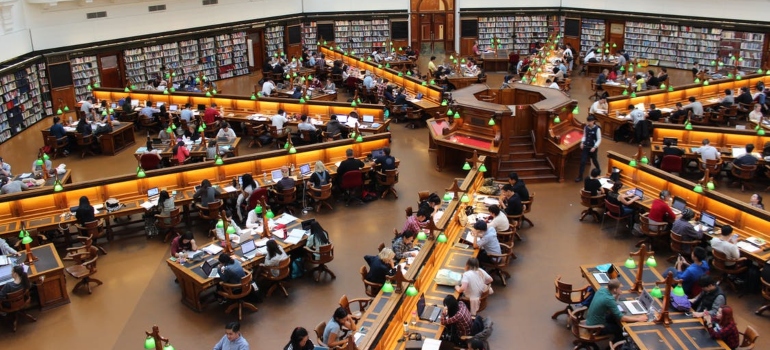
(383, 320)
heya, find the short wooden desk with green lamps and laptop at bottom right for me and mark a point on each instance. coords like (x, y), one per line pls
(685, 332)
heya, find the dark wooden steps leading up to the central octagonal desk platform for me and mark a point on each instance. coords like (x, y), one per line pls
(521, 158)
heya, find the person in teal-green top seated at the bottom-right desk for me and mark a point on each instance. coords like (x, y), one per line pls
(604, 311)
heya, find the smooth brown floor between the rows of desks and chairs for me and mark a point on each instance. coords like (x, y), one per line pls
(139, 289)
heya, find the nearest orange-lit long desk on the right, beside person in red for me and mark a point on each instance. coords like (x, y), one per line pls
(746, 220)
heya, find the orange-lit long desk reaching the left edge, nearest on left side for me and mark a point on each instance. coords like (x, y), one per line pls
(40, 208)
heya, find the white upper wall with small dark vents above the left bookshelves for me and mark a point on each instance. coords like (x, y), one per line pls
(66, 24)
